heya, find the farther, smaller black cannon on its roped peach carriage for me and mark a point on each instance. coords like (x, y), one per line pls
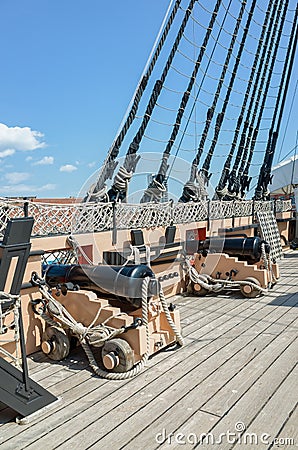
(232, 261)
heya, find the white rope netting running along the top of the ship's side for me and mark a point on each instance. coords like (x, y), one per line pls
(54, 219)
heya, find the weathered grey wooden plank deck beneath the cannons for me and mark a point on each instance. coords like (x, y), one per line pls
(238, 369)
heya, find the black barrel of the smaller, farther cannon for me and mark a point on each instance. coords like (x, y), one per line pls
(249, 248)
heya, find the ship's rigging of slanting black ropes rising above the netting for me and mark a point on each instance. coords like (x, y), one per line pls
(214, 88)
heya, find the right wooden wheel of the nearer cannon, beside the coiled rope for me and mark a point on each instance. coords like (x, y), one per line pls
(117, 355)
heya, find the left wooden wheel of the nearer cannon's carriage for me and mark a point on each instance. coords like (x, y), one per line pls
(55, 343)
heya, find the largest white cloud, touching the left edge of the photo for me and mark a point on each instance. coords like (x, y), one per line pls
(18, 138)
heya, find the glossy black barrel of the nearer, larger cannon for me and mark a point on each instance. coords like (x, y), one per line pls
(121, 282)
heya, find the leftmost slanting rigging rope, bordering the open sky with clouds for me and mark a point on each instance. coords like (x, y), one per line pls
(110, 163)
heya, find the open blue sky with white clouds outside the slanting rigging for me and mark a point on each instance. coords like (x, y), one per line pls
(69, 70)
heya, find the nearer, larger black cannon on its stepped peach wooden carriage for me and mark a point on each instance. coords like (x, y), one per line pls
(105, 304)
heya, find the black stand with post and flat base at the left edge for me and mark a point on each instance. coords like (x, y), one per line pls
(17, 390)
